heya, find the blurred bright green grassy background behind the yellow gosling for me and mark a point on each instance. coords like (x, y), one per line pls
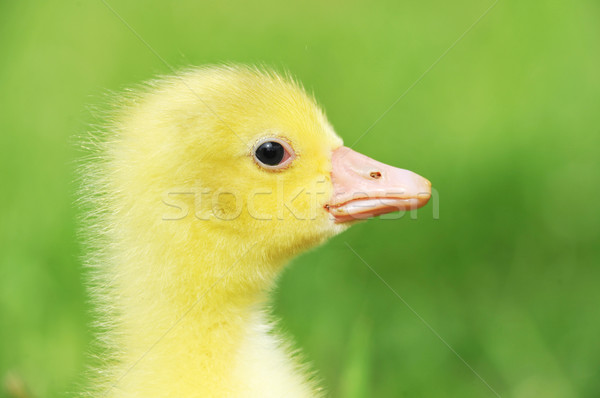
(506, 126)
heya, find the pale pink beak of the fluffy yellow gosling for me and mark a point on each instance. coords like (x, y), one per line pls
(365, 188)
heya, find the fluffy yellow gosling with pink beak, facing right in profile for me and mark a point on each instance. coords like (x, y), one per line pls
(205, 185)
